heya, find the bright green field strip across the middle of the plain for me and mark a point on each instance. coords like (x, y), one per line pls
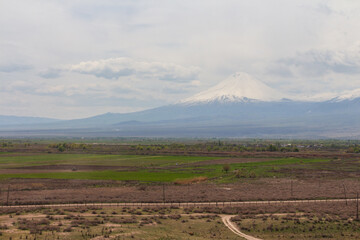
(145, 168)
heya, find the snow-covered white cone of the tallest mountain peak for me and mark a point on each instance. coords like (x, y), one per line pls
(239, 87)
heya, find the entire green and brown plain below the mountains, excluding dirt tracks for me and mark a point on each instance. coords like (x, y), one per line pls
(86, 173)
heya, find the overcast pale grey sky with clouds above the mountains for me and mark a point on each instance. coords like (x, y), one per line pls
(78, 58)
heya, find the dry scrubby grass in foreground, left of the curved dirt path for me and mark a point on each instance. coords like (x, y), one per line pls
(110, 223)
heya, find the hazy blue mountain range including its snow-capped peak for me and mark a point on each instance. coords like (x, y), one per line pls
(240, 106)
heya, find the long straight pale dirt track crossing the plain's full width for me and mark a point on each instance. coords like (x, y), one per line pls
(184, 204)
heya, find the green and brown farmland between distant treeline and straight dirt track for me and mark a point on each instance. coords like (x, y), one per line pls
(72, 176)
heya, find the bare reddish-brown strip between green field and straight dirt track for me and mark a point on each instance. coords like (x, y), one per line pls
(39, 191)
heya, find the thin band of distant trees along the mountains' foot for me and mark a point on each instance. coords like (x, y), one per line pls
(195, 145)
